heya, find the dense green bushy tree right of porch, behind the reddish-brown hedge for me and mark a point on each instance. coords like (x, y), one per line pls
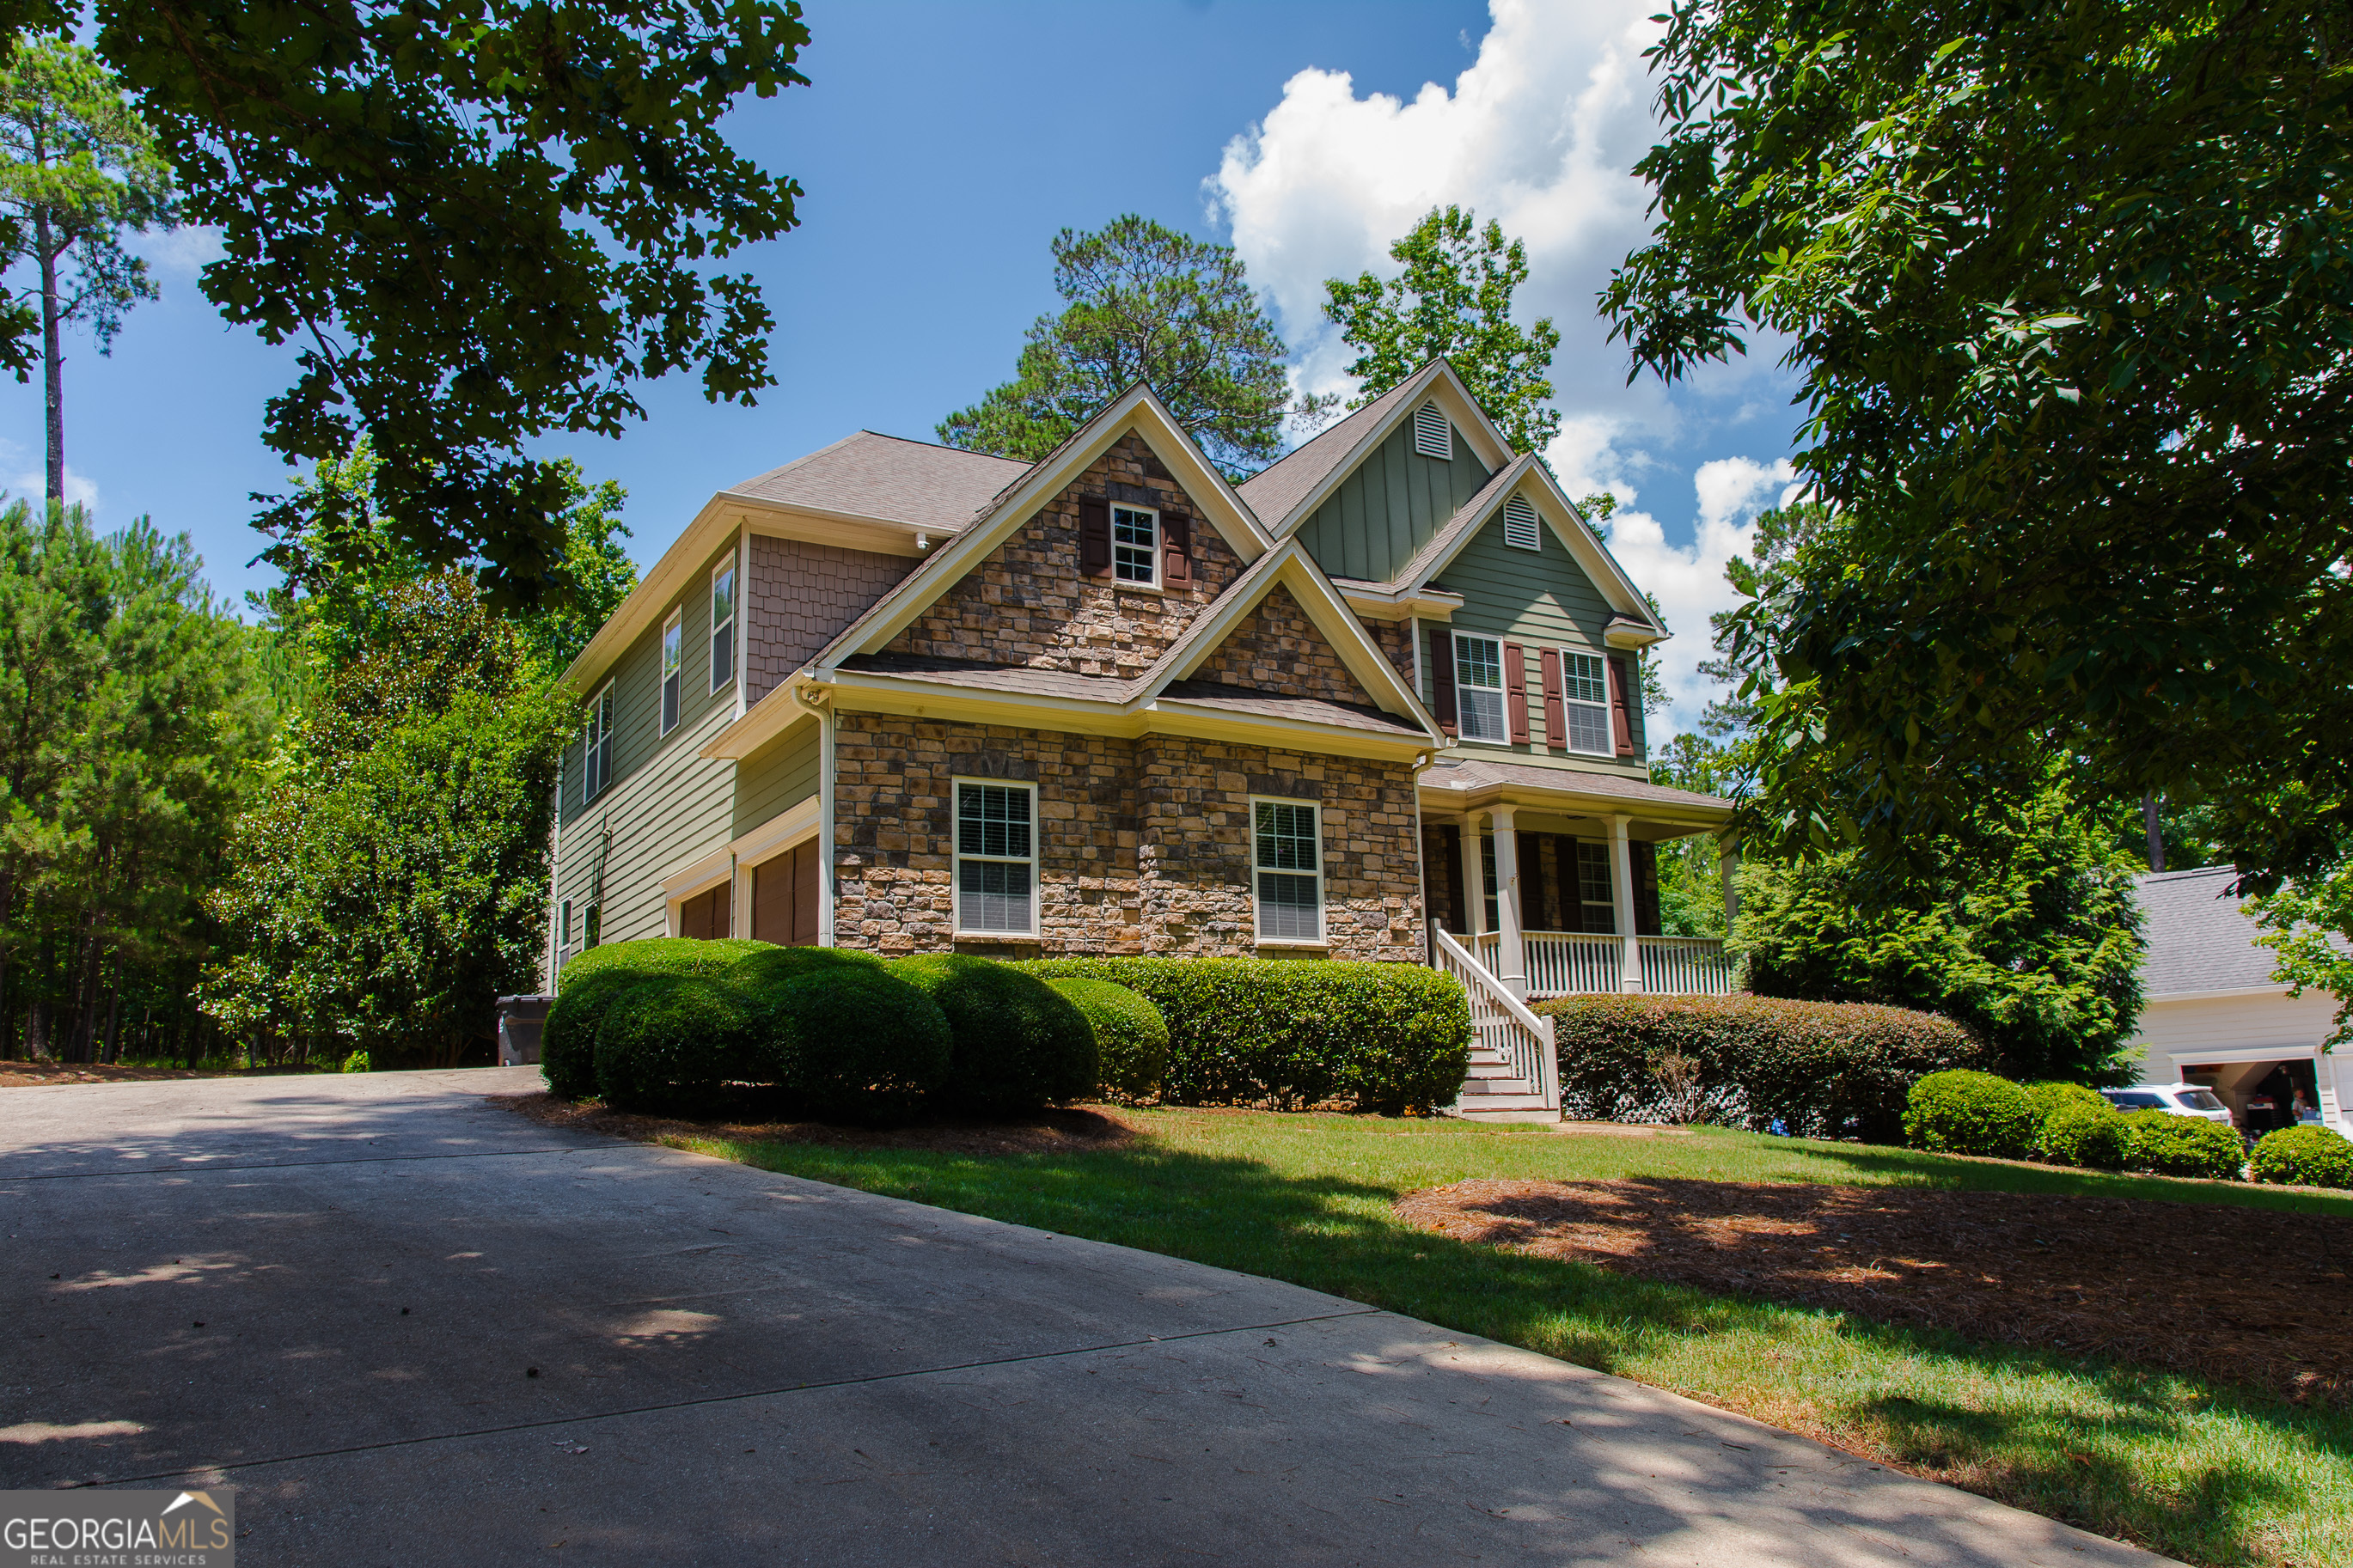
(2025, 927)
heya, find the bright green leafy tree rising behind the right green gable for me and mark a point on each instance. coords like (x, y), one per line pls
(1453, 302)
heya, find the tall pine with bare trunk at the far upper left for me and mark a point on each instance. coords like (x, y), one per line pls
(76, 170)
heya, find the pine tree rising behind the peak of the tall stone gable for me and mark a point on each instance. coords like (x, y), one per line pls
(1156, 307)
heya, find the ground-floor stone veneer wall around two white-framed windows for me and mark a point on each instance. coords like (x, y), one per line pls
(1142, 845)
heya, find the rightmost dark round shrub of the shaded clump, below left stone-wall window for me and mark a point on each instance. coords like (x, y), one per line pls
(1018, 1043)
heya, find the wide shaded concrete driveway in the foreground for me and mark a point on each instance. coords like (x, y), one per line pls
(415, 1329)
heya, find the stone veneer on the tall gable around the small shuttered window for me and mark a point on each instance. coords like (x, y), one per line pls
(1032, 605)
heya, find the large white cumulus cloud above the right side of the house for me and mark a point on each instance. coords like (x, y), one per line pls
(1540, 133)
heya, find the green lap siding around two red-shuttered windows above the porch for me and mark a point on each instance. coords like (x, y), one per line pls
(1540, 601)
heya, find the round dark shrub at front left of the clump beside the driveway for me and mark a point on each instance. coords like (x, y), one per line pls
(672, 1045)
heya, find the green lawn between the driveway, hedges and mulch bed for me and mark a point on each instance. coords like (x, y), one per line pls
(2192, 1468)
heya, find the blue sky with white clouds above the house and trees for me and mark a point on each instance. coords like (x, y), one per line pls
(942, 147)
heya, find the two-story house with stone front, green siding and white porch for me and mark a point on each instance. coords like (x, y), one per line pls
(1380, 702)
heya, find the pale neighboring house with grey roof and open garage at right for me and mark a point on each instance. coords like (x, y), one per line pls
(2215, 1017)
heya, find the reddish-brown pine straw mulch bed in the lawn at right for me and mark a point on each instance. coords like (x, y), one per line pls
(2234, 1294)
